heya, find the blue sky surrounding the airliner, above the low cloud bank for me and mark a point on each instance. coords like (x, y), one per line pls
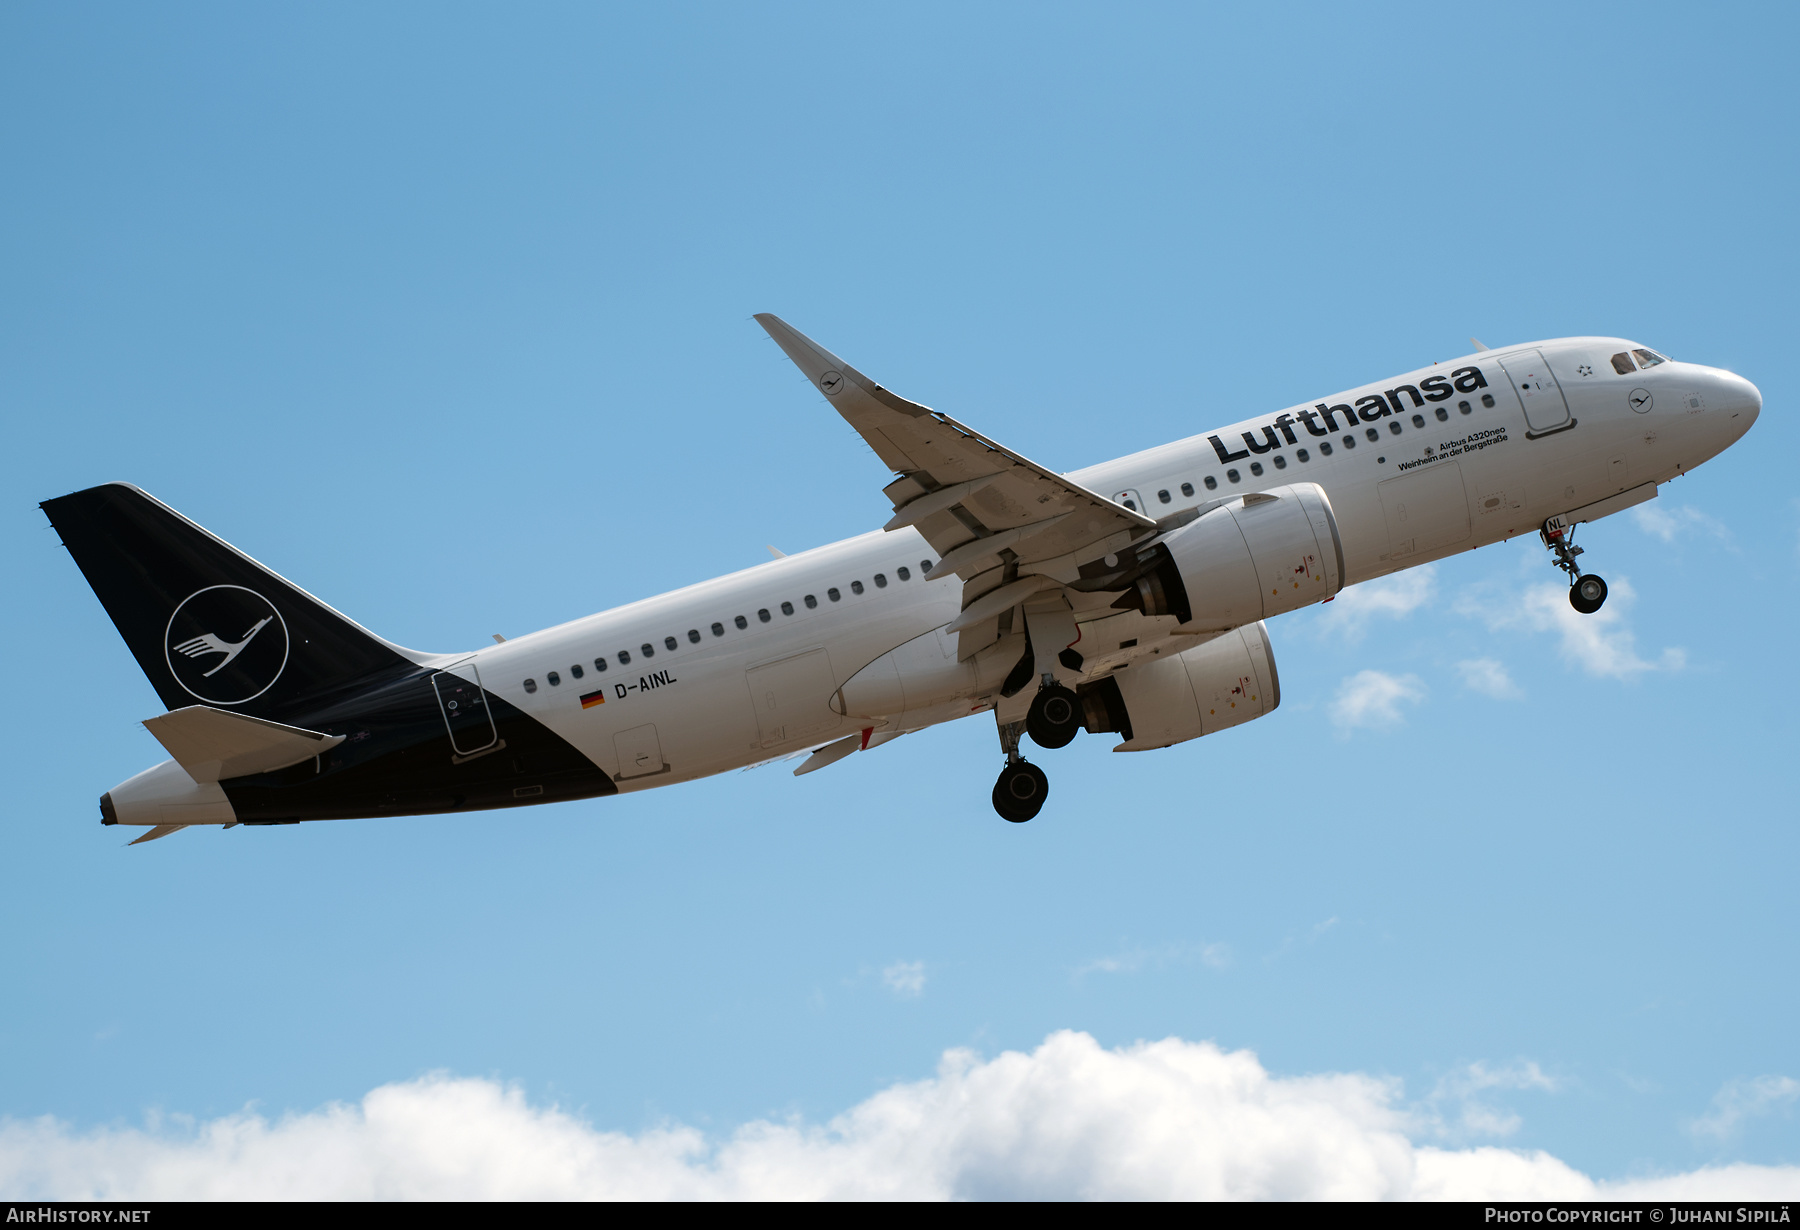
(444, 312)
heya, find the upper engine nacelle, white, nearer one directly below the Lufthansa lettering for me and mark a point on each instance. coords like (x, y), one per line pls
(1246, 561)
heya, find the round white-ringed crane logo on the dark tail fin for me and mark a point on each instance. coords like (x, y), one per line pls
(226, 646)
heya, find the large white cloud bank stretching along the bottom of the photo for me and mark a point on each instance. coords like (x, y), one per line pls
(1156, 1121)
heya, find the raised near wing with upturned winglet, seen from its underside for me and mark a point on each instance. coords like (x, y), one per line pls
(978, 503)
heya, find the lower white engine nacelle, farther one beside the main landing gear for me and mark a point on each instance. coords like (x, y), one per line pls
(1227, 682)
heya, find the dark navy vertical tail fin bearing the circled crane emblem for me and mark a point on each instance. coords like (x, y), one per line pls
(204, 620)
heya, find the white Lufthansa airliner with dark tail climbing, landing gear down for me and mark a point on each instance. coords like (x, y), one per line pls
(1128, 601)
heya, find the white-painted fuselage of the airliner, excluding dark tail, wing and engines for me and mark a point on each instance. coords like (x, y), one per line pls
(1419, 491)
